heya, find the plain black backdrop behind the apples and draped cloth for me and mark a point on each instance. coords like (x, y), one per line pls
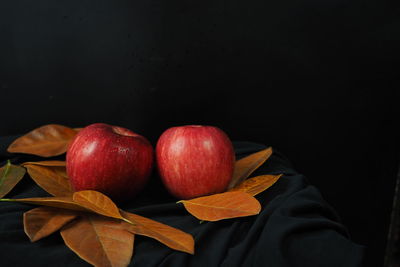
(317, 80)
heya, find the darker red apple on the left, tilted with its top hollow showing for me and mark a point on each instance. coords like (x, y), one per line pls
(109, 159)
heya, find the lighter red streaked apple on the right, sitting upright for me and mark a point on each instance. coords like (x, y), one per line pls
(195, 160)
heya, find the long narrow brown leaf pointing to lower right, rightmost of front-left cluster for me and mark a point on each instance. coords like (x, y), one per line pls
(169, 236)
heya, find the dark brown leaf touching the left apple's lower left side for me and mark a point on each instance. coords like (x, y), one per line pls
(52, 178)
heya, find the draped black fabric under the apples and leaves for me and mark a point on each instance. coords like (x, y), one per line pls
(296, 227)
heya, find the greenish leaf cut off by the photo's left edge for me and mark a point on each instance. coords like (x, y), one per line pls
(10, 175)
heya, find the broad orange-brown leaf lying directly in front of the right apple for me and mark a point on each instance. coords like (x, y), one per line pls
(222, 206)
